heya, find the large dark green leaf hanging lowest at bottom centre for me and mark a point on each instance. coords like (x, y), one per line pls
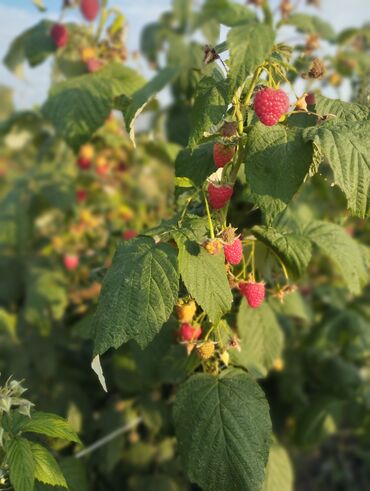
(228, 445)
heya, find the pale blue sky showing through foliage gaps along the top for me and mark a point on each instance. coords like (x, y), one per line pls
(17, 15)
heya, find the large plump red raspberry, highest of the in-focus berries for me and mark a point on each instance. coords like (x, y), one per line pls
(270, 105)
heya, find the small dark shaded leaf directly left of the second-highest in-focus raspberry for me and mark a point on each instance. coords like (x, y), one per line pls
(196, 165)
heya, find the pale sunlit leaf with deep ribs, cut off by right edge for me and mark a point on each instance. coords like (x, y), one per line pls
(345, 147)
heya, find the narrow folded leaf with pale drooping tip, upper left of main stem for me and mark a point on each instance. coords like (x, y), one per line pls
(133, 106)
